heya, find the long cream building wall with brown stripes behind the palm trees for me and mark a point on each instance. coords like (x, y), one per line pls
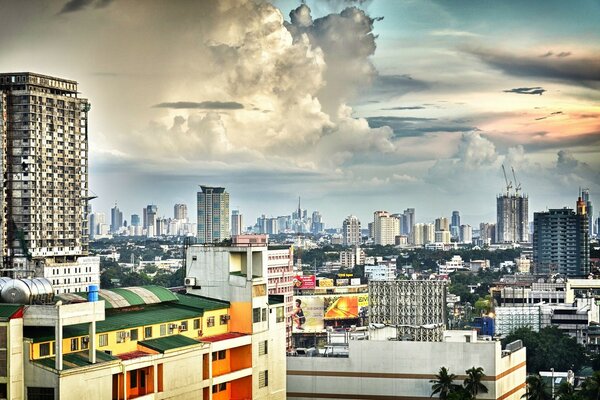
(402, 370)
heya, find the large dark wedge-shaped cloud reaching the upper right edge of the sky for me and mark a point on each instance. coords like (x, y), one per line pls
(584, 71)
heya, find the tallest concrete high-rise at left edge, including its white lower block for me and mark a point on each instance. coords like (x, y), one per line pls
(44, 165)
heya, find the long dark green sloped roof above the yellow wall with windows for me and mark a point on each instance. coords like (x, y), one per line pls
(119, 320)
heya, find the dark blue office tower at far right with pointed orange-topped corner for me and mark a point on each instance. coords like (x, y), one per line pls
(561, 241)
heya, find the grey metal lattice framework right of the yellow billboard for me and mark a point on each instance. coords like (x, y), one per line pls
(416, 308)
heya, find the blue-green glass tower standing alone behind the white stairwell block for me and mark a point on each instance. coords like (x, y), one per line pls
(213, 214)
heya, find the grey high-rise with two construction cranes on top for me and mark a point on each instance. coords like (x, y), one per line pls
(512, 225)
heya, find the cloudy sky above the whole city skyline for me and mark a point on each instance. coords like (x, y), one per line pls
(354, 106)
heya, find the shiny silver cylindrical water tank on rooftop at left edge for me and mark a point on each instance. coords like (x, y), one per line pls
(27, 291)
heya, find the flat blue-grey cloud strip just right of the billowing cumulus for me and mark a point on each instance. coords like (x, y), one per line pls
(414, 126)
